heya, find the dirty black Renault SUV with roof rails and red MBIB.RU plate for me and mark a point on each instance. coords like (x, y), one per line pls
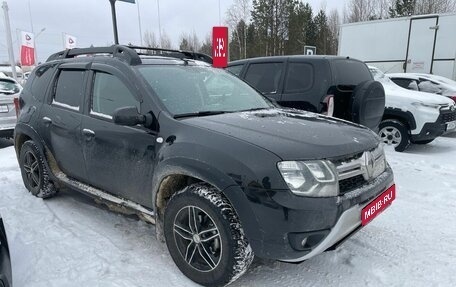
(222, 172)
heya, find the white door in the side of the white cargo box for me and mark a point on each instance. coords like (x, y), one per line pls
(421, 44)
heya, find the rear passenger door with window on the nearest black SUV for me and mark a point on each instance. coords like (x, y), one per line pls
(60, 119)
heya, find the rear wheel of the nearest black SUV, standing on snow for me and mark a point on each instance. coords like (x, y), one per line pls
(34, 171)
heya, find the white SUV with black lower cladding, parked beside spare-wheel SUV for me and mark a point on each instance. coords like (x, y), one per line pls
(412, 116)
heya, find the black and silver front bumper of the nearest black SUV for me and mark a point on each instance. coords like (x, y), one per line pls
(285, 220)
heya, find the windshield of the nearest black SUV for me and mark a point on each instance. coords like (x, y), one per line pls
(196, 89)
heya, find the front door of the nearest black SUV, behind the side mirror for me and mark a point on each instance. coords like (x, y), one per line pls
(119, 159)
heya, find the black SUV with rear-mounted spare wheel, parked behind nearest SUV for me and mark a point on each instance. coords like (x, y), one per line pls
(336, 86)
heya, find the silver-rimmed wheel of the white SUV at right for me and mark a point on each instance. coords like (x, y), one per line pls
(393, 132)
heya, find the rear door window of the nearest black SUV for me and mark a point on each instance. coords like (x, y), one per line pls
(69, 89)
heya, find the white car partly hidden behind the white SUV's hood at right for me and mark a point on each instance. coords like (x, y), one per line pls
(425, 83)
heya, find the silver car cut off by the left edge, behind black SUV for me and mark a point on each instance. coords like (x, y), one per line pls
(9, 89)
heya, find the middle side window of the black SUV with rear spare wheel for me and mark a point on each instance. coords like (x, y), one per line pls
(265, 76)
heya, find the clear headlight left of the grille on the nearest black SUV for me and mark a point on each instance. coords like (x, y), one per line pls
(316, 178)
